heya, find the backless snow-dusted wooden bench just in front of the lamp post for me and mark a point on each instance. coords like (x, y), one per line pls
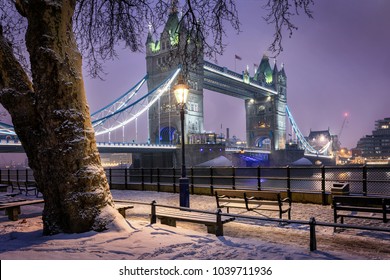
(213, 221)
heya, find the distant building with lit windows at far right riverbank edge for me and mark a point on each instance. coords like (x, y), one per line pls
(376, 147)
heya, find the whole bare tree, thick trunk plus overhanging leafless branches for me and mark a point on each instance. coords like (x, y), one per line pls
(42, 87)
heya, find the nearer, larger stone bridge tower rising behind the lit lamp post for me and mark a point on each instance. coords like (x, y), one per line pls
(161, 62)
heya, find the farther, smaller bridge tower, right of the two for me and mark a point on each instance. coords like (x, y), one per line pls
(266, 115)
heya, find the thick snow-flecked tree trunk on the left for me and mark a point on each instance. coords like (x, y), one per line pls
(52, 120)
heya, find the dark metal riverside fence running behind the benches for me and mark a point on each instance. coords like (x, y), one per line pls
(364, 180)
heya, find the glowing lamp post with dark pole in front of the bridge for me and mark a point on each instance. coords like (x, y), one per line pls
(181, 91)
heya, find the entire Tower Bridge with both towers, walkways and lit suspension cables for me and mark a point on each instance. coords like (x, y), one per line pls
(264, 93)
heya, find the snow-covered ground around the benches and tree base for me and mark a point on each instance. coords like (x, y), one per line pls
(242, 240)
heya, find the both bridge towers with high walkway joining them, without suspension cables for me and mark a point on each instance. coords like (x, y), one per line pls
(265, 94)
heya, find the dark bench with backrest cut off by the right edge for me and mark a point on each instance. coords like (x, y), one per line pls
(345, 205)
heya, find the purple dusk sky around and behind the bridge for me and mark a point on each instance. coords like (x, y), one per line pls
(335, 63)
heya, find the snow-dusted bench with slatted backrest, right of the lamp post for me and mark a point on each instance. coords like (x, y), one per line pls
(253, 201)
